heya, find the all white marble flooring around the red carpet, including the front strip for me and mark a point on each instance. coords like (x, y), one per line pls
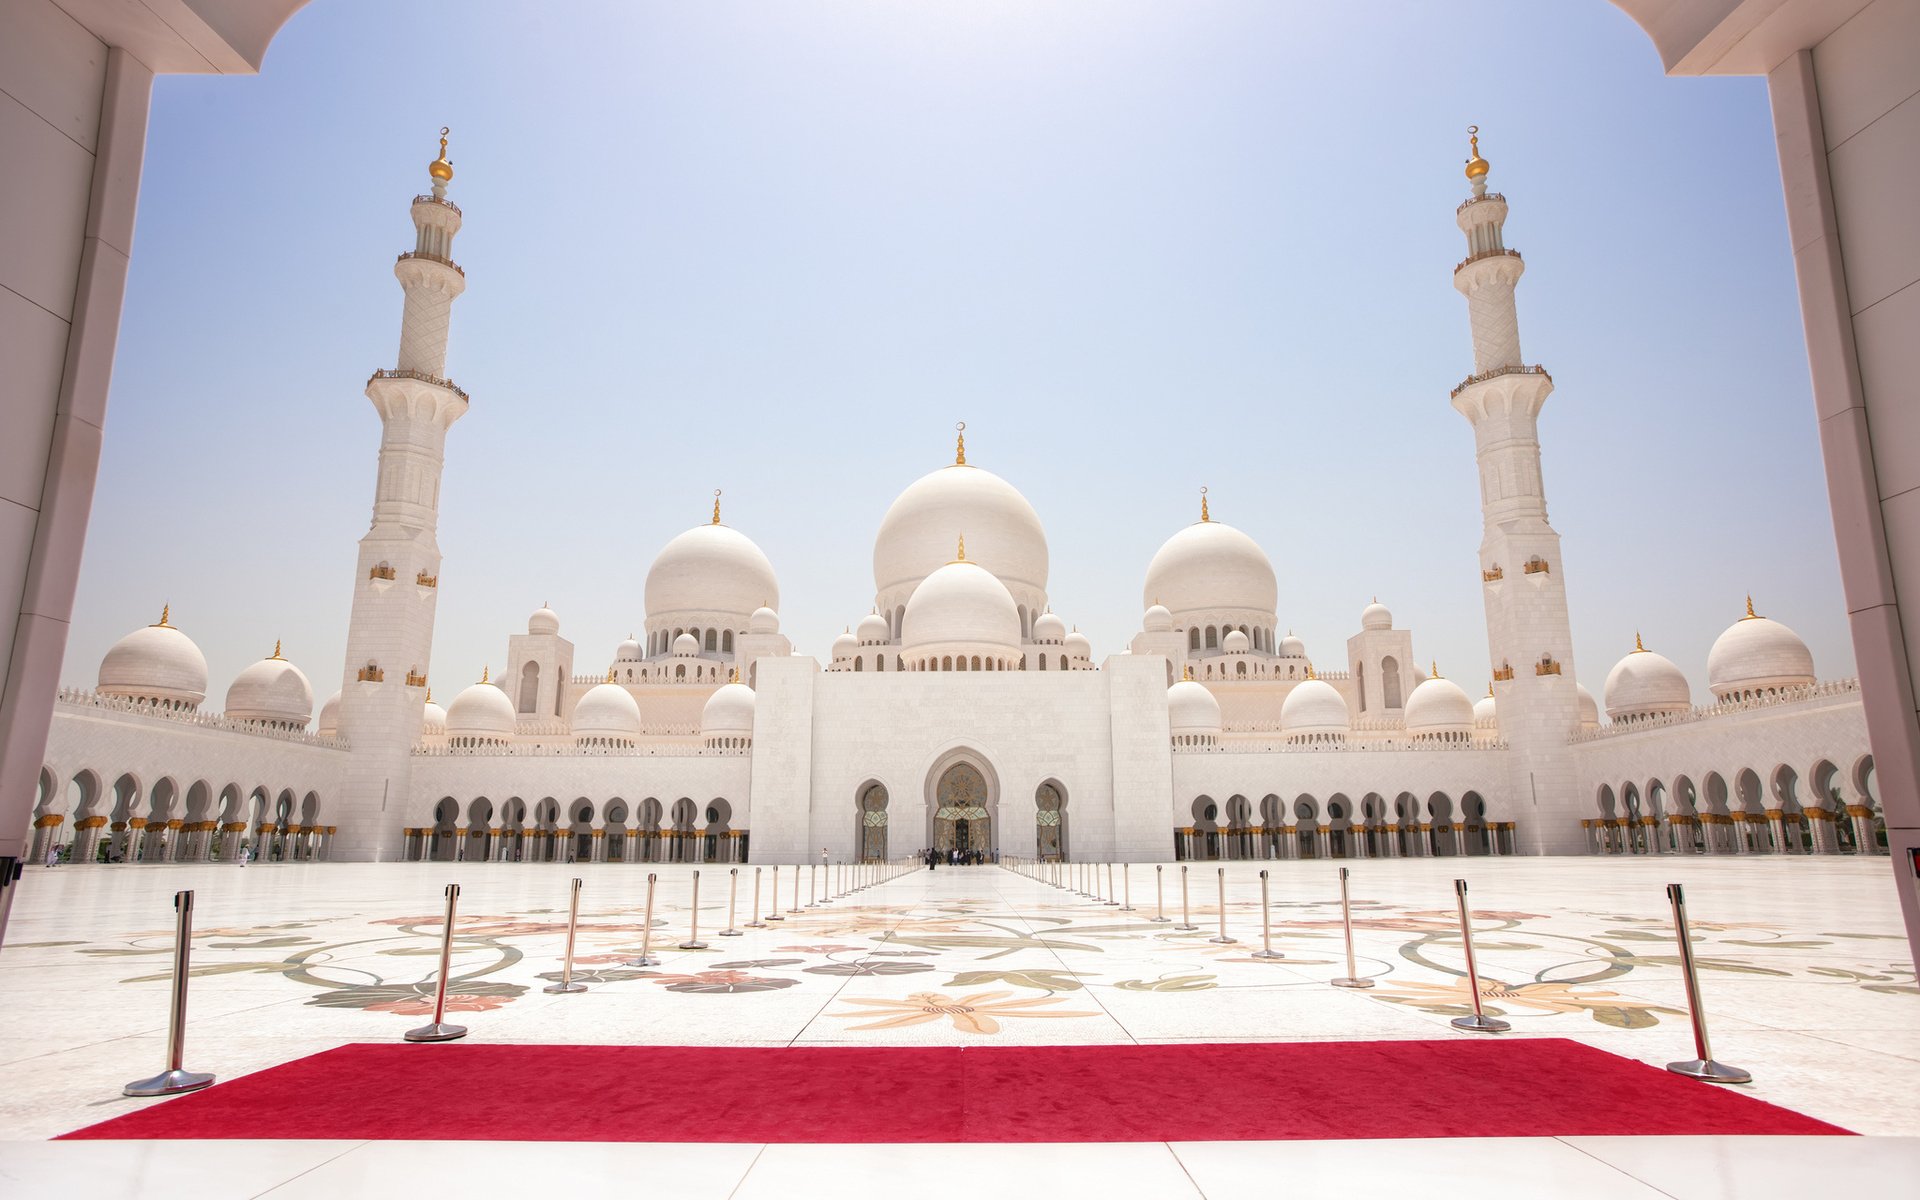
(1806, 976)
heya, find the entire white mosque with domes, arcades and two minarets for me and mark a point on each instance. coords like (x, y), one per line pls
(961, 711)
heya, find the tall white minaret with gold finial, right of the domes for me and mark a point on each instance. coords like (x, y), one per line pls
(1522, 573)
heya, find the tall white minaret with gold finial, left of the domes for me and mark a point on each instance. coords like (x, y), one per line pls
(396, 585)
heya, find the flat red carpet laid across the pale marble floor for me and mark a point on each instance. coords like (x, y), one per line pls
(1524, 1088)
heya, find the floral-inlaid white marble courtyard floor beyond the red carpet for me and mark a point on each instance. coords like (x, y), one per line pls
(1806, 971)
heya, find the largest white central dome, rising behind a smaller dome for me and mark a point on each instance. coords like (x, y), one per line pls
(1001, 529)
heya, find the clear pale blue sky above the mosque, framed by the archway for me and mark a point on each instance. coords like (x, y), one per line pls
(780, 249)
